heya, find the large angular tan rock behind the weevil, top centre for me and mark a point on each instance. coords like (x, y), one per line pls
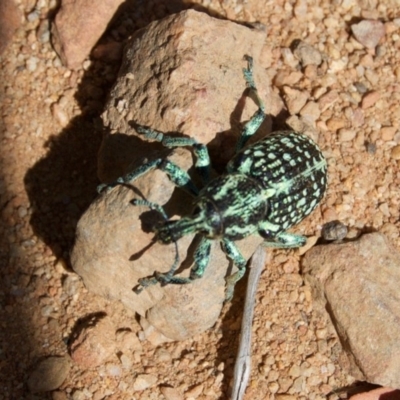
(191, 82)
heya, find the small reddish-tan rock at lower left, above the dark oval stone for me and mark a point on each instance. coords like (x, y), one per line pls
(94, 344)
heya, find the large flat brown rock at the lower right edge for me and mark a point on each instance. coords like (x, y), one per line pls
(357, 283)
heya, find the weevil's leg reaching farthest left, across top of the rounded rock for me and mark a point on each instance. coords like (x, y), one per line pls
(177, 175)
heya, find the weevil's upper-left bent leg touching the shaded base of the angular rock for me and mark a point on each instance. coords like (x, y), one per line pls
(200, 150)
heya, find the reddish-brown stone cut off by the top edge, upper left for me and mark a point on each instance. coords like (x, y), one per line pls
(78, 26)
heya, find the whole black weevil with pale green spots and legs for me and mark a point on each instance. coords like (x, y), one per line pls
(267, 188)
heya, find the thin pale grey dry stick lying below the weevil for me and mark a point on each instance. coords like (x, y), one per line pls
(243, 360)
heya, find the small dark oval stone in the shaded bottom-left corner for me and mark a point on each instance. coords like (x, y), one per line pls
(49, 374)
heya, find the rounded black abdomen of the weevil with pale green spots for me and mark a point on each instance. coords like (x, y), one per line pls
(291, 168)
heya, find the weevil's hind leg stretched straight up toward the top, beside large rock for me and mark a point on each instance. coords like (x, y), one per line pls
(257, 119)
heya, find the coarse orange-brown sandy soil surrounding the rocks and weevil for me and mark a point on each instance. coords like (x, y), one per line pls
(49, 141)
